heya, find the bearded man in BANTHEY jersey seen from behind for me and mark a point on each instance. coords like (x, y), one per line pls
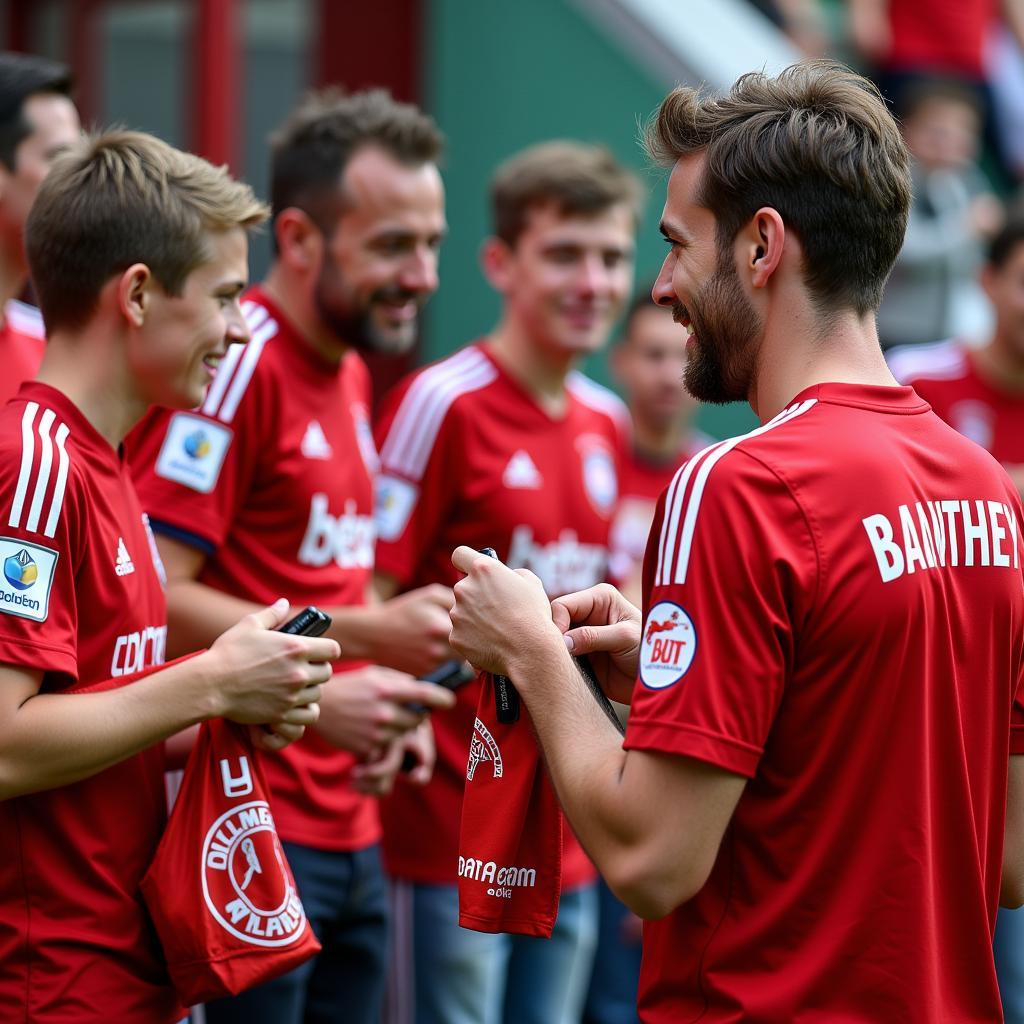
(810, 800)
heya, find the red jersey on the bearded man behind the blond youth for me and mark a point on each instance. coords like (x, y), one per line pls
(273, 479)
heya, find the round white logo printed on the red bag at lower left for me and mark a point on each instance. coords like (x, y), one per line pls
(246, 884)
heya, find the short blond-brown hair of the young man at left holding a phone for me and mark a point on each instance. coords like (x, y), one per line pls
(121, 198)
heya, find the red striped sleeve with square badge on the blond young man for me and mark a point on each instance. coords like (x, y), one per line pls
(42, 531)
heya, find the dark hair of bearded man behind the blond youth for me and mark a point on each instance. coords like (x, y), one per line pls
(311, 151)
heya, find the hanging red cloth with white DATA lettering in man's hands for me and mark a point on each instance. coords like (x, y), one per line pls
(510, 843)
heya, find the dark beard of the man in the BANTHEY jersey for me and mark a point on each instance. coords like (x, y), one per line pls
(723, 357)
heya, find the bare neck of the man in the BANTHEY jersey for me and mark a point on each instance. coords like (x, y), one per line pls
(800, 351)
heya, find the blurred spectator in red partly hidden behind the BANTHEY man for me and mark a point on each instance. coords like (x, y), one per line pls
(649, 365)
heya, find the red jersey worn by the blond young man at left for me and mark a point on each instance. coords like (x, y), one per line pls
(81, 601)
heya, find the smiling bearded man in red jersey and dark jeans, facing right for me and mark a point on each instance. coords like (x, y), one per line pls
(269, 488)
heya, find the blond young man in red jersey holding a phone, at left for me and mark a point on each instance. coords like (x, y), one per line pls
(140, 257)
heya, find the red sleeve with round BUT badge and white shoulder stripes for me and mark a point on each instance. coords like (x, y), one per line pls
(730, 575)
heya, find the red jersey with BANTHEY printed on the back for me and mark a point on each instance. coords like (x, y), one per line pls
(835, 610)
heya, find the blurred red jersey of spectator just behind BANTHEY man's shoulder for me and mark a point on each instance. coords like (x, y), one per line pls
(642, 483)
